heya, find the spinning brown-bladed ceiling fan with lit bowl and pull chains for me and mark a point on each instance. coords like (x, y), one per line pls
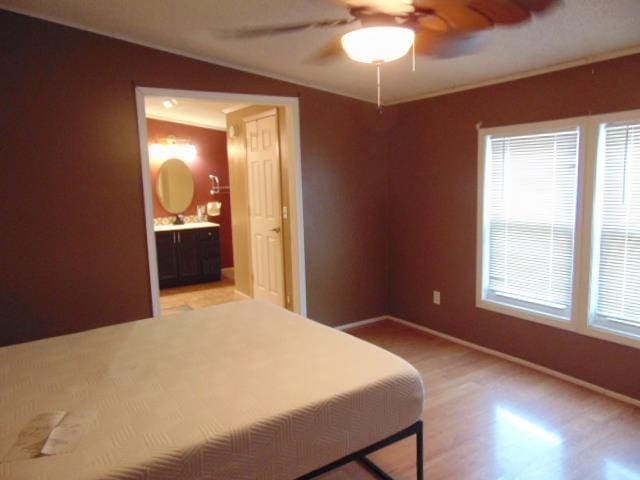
(385, 30)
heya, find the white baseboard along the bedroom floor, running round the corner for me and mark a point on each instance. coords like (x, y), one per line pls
(504, 356)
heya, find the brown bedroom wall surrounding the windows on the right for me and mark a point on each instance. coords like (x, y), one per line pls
(433, 225)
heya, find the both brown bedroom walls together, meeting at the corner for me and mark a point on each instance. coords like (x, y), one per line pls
(379, 235)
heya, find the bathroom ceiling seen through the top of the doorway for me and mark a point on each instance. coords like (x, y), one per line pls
(198, 113)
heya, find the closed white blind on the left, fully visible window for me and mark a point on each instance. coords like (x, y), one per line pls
(530, 209)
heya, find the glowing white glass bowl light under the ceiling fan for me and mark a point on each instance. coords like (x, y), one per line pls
(378, 44)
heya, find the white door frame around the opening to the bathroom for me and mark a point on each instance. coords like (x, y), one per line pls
(291, 106)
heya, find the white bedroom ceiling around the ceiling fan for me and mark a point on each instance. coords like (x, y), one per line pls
(577, 31)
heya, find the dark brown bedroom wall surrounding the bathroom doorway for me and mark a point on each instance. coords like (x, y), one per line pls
(73, 241)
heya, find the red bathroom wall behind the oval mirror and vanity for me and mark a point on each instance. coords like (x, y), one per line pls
(212, 158)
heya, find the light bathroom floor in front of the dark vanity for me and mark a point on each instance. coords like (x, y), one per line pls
(192, 297)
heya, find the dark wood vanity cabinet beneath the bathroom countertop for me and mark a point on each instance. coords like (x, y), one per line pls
(188, 256)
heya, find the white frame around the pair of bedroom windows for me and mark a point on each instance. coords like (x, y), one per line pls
(581, 316)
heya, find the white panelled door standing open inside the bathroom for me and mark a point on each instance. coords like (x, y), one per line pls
(265, 207)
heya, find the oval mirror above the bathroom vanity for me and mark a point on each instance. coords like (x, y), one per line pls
(174, 186)
